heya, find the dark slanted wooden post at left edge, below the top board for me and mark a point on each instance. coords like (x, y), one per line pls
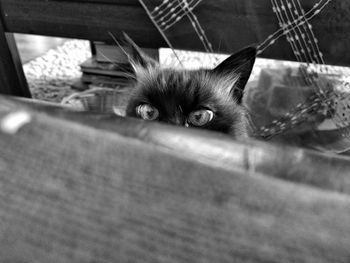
(12, 79)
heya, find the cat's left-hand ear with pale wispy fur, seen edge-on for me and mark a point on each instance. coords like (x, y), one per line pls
(137, 57)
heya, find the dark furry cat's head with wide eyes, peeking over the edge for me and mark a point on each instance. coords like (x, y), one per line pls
(206, 99)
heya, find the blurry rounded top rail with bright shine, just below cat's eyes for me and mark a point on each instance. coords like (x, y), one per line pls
(325, 171)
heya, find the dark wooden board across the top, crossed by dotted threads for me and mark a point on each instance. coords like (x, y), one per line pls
(229, 25)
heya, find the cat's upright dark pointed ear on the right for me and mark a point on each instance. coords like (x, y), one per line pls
(237, 68)
